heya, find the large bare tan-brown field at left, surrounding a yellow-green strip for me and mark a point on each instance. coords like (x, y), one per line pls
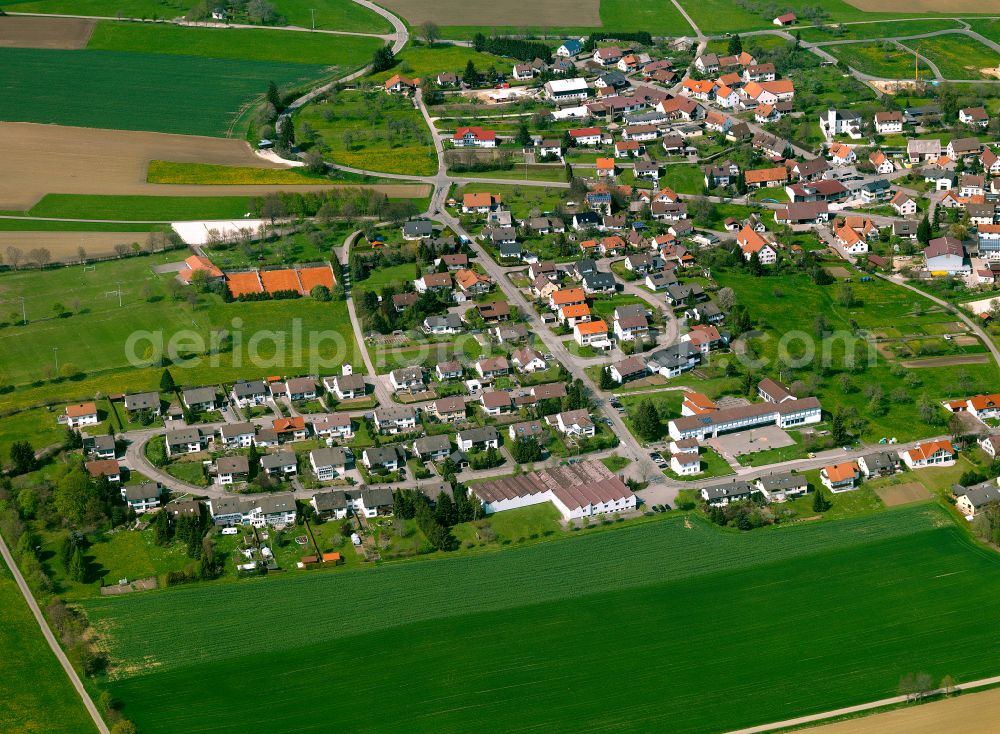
(52, 159)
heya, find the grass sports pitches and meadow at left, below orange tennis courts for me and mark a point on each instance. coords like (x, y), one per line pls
(89, 297)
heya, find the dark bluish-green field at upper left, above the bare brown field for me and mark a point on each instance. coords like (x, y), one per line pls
(137, 91)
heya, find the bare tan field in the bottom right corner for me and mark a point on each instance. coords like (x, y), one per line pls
(970, 713)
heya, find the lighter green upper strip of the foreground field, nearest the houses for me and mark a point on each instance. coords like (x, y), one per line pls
(148, 627)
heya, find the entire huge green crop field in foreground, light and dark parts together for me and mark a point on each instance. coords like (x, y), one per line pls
(649, 627)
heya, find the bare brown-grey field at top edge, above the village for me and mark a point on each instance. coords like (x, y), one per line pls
(460, 12)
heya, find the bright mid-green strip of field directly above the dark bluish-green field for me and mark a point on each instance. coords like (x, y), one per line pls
(242, 44)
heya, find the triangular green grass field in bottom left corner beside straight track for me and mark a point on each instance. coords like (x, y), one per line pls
(37, 695)
